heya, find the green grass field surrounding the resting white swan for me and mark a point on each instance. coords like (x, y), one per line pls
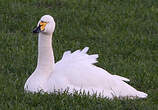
(123, 32)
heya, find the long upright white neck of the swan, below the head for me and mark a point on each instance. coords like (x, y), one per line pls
(45, 62)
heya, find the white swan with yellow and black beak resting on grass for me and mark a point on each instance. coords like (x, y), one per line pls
(75, 70)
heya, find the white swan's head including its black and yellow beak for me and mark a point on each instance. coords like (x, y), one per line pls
(46, 25)
